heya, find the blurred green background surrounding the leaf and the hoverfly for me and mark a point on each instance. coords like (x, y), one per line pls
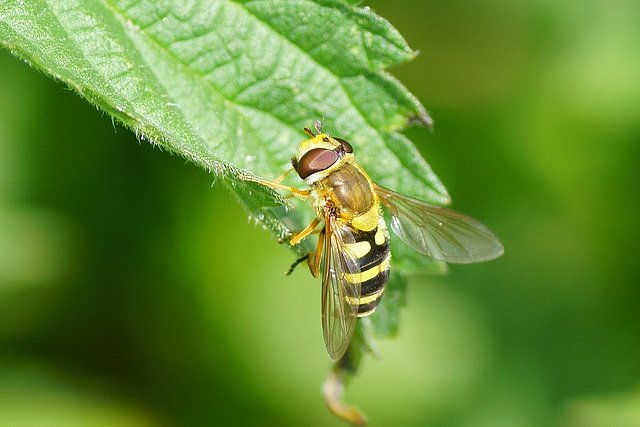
(134, 293)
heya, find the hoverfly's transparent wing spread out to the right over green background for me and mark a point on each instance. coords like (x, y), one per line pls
(441, 233)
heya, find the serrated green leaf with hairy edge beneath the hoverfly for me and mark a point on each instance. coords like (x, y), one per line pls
(230, 85)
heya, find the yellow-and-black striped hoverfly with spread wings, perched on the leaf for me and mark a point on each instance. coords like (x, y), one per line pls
(353, 239)
